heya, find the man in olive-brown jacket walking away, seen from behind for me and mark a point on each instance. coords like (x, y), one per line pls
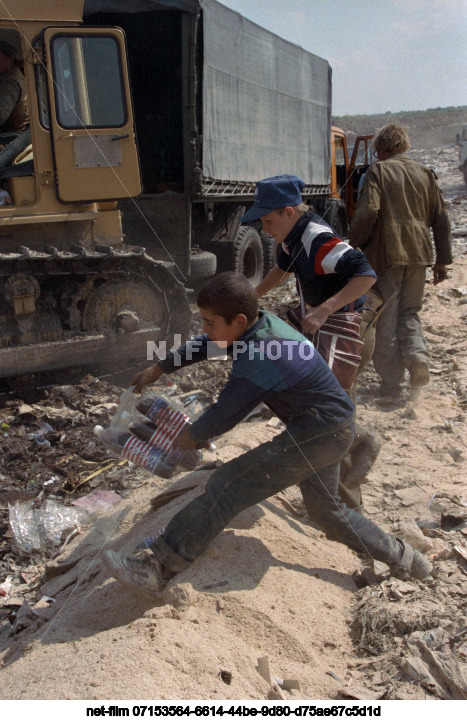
(400, 203)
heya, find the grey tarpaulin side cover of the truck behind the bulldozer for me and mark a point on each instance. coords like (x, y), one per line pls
(266, 105)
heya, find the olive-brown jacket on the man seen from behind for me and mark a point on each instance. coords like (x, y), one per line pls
(399, 203)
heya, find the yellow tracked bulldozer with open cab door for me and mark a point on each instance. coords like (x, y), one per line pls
(71, 292)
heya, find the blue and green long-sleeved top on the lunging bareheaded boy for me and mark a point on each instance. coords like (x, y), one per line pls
(274, 364)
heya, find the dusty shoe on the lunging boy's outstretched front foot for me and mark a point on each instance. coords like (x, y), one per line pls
(141, 572)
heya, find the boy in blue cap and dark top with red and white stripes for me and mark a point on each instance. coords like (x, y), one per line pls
(331, 275)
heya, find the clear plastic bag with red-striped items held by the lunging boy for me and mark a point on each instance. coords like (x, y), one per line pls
(143, 431)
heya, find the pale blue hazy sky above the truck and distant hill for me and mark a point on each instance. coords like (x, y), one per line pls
(386, 55)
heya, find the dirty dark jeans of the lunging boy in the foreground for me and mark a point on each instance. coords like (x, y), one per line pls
(310, 460)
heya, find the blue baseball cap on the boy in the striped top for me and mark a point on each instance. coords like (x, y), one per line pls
(274, 193)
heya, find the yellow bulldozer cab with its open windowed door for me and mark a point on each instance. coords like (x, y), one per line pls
(81, 135)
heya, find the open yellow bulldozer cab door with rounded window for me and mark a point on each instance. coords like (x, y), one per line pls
(90, 114)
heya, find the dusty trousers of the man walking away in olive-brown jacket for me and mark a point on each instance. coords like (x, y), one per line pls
(399, 337)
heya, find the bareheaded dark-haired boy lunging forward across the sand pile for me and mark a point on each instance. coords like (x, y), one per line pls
(274, 364)
